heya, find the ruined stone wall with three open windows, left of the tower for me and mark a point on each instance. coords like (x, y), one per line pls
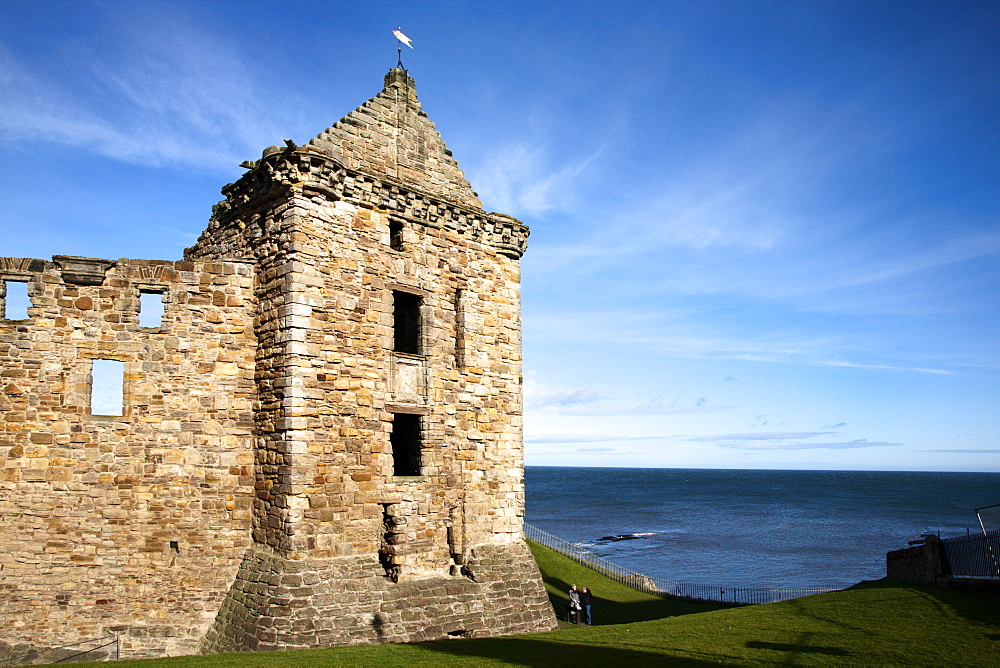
(134, 522)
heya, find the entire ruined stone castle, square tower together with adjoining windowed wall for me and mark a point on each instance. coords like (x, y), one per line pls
(316, 437)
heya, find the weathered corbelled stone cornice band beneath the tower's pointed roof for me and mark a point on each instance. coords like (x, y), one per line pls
(304, 168)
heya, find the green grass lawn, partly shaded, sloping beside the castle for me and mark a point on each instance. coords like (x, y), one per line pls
(874, 623)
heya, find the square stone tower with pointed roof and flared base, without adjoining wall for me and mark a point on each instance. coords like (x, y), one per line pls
(389, 473)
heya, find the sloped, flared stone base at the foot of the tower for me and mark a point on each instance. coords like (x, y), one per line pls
(282, 604)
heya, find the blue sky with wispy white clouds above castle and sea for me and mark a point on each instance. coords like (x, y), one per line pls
(764, 234)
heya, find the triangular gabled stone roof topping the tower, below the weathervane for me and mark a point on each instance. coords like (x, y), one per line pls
(390, 135)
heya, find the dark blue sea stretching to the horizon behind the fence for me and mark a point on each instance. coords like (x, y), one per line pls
(753, 527)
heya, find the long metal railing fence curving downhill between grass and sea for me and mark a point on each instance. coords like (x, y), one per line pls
(661, 587)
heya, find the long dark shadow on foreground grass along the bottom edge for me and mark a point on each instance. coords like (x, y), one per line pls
(534, 652)
